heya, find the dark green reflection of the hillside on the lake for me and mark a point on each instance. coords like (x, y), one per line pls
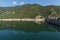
(25, 26)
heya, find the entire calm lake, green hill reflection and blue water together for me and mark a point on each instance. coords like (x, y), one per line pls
(27, 31)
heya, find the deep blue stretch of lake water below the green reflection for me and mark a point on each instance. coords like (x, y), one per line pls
(20, 35)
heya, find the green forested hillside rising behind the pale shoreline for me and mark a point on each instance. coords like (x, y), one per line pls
(29, 11)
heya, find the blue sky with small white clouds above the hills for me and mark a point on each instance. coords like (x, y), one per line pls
(6, 3)
